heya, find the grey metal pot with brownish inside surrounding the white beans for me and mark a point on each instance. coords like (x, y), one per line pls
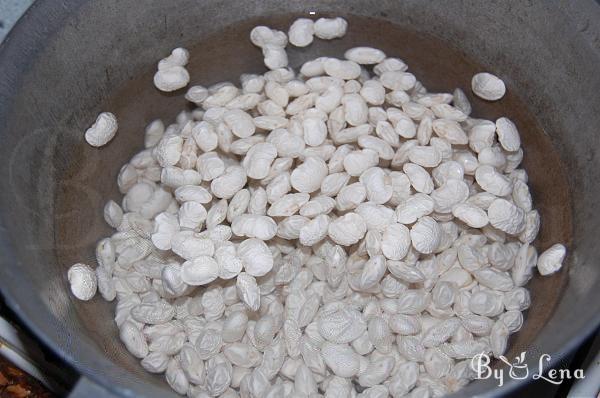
(62, 64)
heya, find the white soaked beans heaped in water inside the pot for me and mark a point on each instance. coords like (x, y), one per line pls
(336, 232)
